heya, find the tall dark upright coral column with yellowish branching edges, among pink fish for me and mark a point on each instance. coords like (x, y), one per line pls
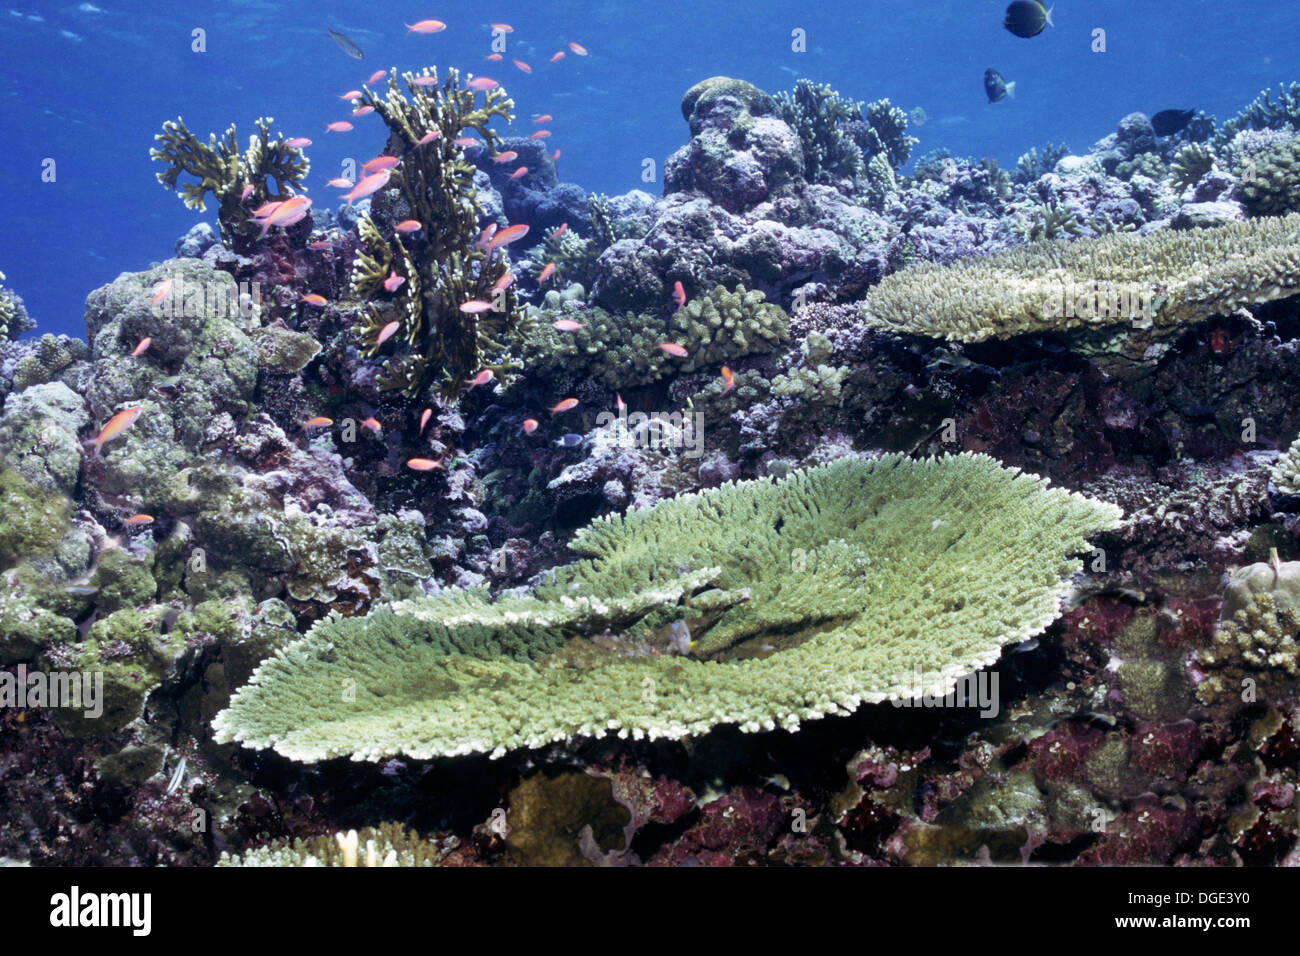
(437, 344)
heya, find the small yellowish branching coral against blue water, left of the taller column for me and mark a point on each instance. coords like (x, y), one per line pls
(220, 170)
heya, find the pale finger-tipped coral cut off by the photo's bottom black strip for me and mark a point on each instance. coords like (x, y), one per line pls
(388, 845)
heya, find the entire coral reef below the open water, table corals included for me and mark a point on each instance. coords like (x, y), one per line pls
(674, 518)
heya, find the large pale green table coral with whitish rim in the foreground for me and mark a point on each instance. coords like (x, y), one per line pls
(807, 598)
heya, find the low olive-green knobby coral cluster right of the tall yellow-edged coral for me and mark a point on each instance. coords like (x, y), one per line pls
(623, 352)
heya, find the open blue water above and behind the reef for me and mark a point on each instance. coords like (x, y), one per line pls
(90, 84)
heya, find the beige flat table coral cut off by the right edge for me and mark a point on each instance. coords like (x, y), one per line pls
(1167, 279)
